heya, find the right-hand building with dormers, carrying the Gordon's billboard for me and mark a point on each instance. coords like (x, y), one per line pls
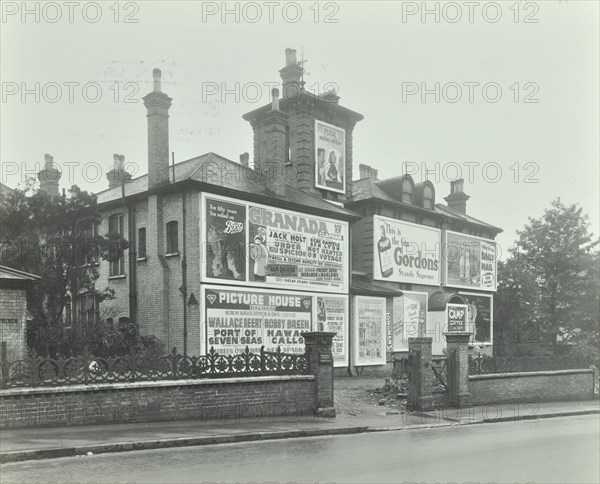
(413, 259)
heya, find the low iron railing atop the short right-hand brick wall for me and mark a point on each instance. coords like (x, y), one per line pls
(486, 364)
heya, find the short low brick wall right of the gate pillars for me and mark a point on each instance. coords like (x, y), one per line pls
(531, 387)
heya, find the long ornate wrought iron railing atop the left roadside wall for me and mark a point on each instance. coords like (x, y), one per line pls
(36, 370)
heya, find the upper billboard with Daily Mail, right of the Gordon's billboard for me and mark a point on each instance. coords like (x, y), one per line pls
(470, 261)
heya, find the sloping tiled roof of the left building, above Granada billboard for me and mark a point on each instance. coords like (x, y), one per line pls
(216, 170)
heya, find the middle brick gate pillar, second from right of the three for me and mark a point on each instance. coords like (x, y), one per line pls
(420, 396)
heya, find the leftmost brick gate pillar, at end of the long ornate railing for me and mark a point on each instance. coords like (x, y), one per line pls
(319, 359)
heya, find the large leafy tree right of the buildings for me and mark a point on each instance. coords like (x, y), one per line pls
(551, 279)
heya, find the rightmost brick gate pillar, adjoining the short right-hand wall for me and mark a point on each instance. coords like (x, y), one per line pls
(458, 368)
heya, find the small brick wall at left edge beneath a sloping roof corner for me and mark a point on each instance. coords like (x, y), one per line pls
(13, 312)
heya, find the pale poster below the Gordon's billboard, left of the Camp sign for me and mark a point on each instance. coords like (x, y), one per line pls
(410, 316)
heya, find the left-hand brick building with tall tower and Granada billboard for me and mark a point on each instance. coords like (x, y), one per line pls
(216, 245)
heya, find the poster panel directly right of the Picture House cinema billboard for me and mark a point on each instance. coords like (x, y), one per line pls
(331, 314)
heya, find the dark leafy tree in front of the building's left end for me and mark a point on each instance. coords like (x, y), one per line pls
(55, 238)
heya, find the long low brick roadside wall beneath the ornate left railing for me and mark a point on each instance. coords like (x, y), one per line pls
(249, 398)
